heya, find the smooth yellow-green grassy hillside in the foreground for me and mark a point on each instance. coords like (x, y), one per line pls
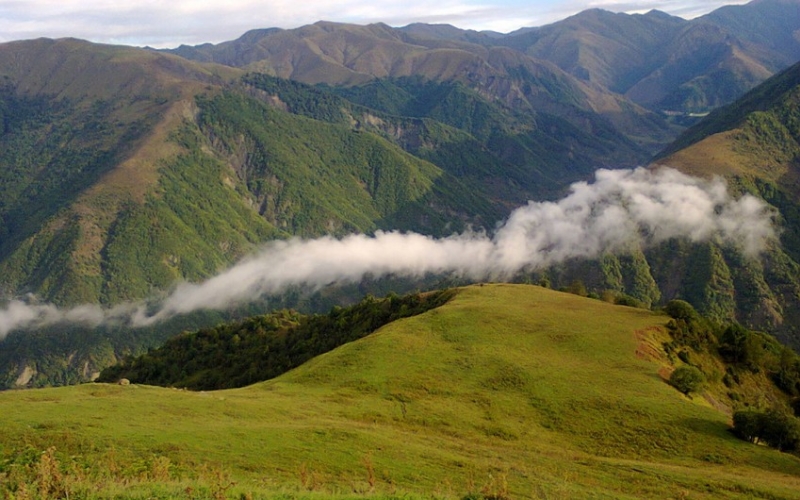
(504, 392)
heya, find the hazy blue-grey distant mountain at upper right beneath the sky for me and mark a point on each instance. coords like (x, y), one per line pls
(667, 63)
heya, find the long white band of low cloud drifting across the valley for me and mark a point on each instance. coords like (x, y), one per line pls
(618, 209)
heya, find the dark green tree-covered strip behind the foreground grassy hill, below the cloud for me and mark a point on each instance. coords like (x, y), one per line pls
(262, 347)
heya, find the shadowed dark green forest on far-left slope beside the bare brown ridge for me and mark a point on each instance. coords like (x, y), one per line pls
(50, 152)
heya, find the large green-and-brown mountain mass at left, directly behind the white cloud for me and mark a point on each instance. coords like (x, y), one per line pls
(131, 170)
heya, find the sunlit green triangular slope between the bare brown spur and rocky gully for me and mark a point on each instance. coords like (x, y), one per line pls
(192, 227)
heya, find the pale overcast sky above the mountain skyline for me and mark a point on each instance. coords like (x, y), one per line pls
(169, 23)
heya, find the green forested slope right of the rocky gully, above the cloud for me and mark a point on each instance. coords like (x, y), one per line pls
(310, 177)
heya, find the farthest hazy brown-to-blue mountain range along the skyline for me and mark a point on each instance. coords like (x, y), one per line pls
(661, 62)
